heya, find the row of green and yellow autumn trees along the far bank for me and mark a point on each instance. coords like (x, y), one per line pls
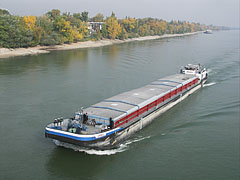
(55, 28)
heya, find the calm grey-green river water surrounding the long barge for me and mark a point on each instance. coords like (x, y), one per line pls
(197, 139)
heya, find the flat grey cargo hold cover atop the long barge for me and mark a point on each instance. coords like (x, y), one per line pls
(130, 101)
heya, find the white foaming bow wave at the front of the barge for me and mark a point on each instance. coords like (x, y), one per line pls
(122, 147)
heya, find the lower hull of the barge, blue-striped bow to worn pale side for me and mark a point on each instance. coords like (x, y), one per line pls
(112, 140)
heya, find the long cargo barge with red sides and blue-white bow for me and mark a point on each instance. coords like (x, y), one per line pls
(106, 124)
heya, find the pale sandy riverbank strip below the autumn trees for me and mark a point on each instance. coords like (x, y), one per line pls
(5, 53)
